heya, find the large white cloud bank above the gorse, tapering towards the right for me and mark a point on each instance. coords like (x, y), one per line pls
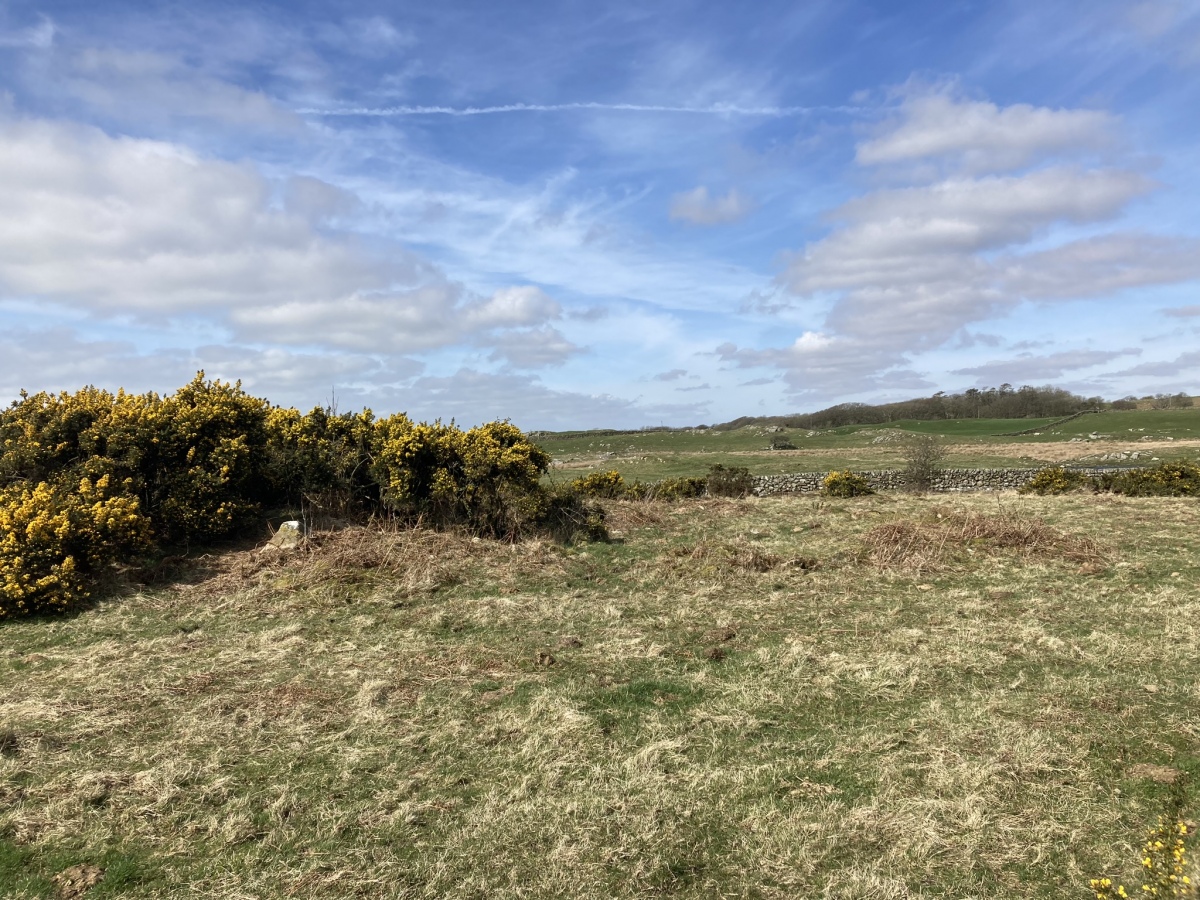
(123, 226)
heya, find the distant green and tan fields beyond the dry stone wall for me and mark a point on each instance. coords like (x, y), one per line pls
(973, 443)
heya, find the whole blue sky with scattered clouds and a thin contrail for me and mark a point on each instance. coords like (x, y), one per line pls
(601, 215)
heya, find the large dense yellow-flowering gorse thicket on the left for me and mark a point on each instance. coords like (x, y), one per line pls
(91, 479)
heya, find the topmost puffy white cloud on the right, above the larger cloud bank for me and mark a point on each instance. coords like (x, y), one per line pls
(982, 137)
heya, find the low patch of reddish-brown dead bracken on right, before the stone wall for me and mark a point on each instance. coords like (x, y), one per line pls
(935, 542)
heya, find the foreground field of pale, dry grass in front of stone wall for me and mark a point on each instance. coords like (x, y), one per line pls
(992, 697)
